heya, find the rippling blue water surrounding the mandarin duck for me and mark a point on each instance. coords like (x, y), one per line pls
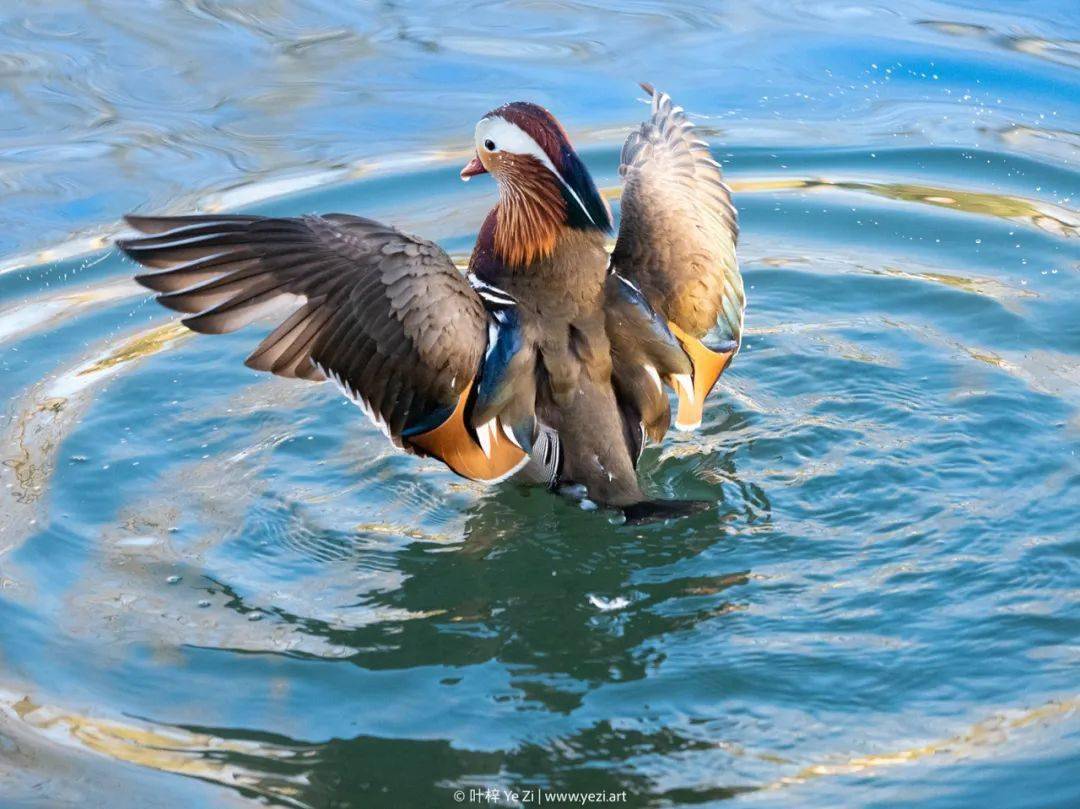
(220, 589)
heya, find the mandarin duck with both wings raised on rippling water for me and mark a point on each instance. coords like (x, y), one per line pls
(550, 360)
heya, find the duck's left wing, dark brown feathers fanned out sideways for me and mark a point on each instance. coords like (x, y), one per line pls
(384, 315)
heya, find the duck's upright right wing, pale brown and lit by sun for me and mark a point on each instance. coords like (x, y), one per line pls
(678, 245)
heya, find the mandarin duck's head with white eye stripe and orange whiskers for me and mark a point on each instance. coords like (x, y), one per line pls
(544, 186)
